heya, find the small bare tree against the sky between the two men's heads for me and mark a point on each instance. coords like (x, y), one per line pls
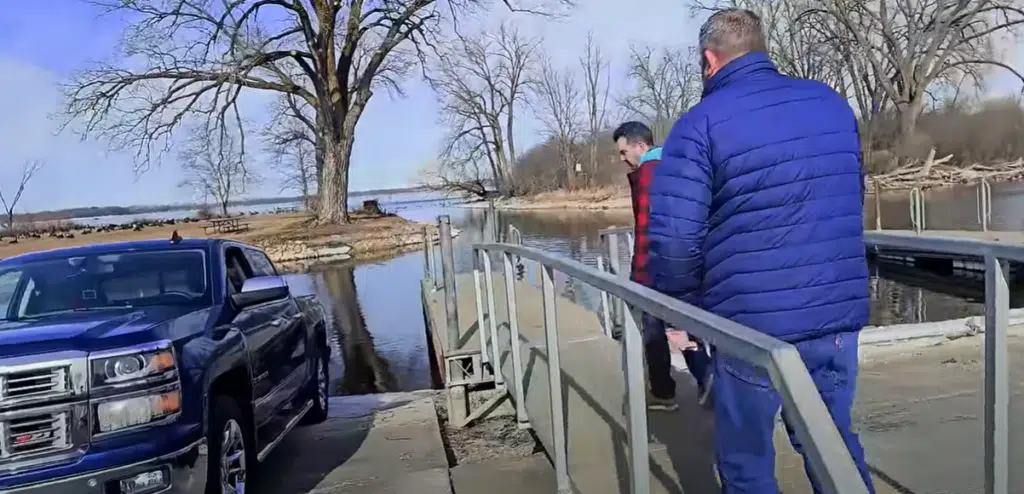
(666, 84)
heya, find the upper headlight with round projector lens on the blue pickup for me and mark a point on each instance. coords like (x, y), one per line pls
(134, 365)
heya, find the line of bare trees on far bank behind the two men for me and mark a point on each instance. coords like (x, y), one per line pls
(914, 72)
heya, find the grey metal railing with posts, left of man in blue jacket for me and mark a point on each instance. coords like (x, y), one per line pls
(826, 450)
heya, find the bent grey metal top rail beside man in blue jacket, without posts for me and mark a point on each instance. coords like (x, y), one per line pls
(812, 422)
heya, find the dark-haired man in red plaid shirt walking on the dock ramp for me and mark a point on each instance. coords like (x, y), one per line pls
(636, 149)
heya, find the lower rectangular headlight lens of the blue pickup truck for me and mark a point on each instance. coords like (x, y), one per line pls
(125, 414)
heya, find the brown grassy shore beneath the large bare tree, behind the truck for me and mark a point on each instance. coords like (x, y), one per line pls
(287, 238)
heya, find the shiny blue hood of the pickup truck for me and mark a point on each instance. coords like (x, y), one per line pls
(98, 331)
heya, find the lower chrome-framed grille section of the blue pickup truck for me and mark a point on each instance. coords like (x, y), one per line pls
(34, 435)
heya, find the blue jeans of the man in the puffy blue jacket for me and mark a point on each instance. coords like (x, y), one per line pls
(746, 405)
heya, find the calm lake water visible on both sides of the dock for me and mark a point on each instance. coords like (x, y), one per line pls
(380, 343)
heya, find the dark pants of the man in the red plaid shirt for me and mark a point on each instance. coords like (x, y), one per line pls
(660, 360)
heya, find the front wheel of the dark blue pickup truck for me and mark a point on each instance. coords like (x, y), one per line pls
(229, 470)
